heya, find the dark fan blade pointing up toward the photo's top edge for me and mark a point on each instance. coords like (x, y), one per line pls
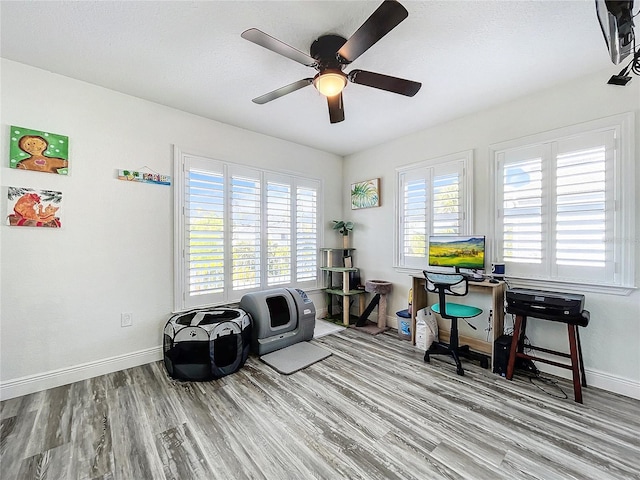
(382, 21)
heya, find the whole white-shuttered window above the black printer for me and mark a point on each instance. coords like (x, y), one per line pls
(561, 208)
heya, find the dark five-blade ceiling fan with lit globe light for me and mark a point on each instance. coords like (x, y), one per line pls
(329, 55)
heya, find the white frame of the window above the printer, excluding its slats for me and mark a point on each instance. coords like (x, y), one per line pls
(623, 185)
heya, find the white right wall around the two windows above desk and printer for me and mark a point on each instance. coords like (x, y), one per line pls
(611, 343)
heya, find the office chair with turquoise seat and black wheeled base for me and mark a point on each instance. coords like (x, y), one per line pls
(452, 284)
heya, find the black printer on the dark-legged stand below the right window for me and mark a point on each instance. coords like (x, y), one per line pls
(543, 304)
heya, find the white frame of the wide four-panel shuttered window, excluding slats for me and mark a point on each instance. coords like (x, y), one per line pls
(227, 170)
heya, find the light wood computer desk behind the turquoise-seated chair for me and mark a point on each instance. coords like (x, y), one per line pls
(496, 290)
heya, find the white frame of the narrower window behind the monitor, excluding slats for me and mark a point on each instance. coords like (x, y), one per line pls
(460, 160)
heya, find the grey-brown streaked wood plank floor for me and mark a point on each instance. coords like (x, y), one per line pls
(373, 410)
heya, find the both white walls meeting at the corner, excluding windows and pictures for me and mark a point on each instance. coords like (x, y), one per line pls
(62, 291)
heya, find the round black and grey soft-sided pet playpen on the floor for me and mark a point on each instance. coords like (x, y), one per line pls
(206, 344)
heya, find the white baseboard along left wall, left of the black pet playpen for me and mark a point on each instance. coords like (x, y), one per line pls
(64, 376)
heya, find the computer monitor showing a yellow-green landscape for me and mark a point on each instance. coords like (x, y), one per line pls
(457, 251)
